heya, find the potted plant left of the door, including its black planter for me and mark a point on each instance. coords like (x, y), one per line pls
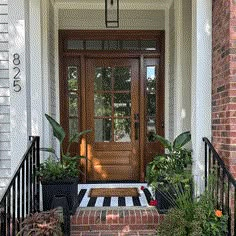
(59, 176)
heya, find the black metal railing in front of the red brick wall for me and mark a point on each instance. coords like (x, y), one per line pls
(224, 187)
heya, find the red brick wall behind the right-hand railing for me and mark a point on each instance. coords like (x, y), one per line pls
(224, 80)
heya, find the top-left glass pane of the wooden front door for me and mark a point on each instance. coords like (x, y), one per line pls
(103, 79)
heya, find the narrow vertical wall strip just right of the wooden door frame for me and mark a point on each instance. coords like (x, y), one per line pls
(171, 69)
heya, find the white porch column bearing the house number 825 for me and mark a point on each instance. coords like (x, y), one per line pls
(19, 80)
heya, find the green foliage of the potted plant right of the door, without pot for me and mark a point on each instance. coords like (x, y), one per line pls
(174, 166)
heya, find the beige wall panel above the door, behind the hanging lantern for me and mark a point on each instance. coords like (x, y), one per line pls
(95, 19)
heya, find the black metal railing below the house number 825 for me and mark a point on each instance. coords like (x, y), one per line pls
(22, 195)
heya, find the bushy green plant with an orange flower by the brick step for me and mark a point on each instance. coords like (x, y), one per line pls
(193, 216)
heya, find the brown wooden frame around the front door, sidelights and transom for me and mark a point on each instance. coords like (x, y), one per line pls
(81, 55)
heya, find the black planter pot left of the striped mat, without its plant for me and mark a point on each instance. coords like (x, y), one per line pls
(67, 188)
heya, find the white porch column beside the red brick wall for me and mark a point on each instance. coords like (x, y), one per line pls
(201, 84)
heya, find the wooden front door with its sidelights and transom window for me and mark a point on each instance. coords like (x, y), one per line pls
(113, 84)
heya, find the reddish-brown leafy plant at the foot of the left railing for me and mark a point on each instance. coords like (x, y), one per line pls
(41, 224)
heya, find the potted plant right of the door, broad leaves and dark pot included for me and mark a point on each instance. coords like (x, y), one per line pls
(167, 170)
